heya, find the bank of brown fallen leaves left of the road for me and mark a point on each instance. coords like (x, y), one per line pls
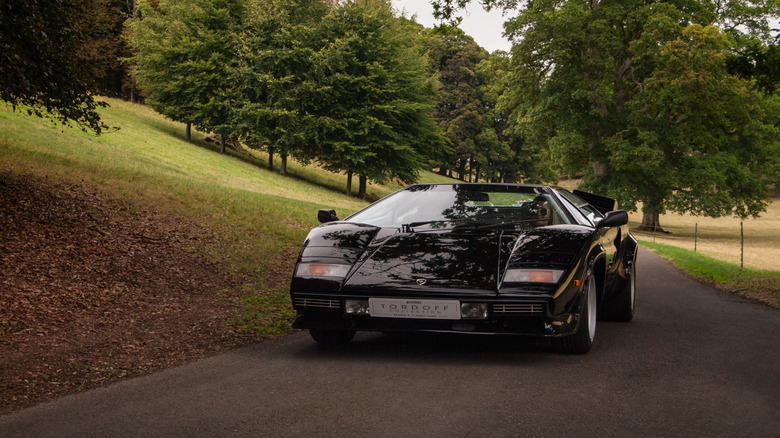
(94, 290)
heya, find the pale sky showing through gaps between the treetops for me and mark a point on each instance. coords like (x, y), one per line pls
(486, 28)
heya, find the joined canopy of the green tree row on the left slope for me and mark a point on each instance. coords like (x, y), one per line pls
(342, 83)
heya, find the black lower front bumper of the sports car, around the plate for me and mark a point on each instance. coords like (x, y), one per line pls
(528, 316)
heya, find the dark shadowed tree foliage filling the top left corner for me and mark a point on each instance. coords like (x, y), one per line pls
(37, 66)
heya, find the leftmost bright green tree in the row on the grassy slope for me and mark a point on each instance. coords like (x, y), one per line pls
(185, 51)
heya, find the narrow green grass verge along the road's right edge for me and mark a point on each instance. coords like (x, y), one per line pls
(757, 284)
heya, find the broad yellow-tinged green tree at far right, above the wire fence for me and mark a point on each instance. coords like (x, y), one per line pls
(699, 139)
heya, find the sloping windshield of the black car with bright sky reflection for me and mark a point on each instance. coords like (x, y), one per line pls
(443, 206)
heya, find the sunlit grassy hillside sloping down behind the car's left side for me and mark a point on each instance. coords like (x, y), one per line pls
(148, 163)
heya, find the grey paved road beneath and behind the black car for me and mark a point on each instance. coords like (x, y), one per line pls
(694, 362)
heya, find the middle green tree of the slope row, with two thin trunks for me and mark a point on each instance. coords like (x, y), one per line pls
(275, 76)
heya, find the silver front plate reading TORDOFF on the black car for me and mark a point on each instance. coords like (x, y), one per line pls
(415, 309)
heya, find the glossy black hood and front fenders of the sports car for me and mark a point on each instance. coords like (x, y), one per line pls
(388, 262)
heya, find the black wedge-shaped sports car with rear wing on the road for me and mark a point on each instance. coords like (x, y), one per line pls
(474, 258)
